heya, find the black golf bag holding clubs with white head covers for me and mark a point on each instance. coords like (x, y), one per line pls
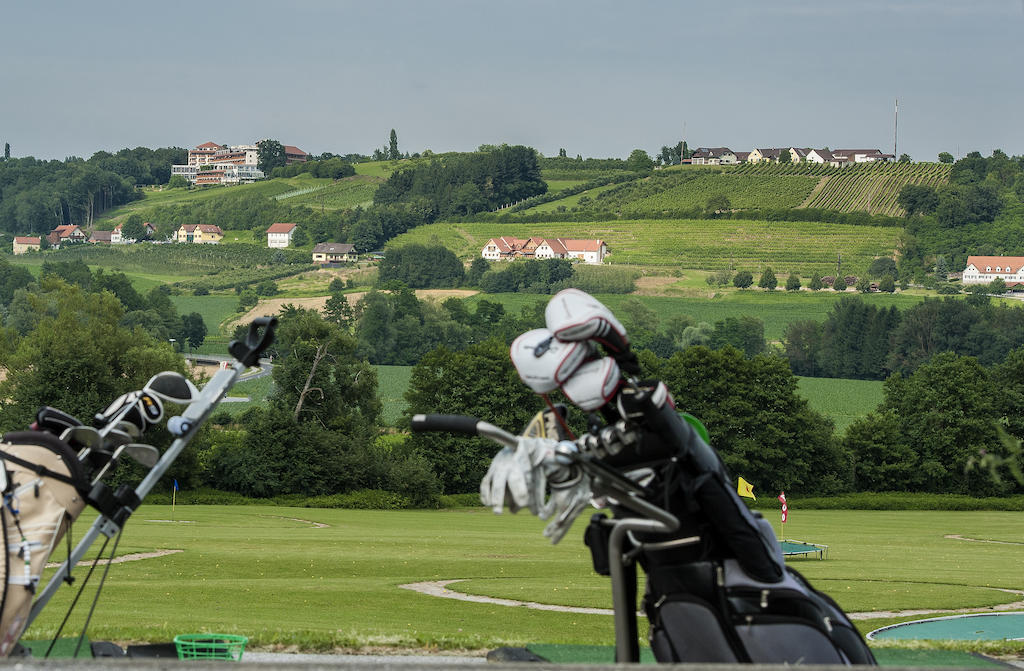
(718, 590)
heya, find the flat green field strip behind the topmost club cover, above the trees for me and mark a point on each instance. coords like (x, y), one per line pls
(776, 309)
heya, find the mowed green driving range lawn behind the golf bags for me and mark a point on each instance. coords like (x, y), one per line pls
(320, 579)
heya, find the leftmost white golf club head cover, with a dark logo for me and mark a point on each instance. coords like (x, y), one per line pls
(545, 362)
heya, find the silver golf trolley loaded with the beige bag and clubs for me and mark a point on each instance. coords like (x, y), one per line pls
(50, 474)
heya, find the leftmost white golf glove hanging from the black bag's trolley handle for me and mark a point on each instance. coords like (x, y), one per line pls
(517, 478)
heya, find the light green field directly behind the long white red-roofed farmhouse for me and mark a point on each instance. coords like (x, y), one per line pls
(708, 245)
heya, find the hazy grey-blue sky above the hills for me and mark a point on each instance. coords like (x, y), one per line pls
(598, 78)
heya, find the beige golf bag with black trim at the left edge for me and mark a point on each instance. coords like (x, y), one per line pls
(44, 494)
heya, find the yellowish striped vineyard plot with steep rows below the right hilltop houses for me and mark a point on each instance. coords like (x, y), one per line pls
(874, 189)
